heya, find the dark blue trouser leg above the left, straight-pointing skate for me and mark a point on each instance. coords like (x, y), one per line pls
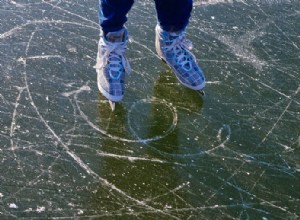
(113, 14)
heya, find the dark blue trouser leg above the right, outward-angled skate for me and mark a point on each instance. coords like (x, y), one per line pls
(173, 15)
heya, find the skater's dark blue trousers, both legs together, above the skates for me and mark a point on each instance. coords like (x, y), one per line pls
(172, 15)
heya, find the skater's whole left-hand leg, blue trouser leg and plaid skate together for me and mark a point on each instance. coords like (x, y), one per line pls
(112, 64)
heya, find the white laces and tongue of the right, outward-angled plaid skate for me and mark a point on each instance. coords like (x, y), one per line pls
(180, 46)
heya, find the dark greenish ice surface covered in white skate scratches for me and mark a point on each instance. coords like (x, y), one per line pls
(166, 152)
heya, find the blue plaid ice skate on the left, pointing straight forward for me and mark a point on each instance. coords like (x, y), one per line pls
(112, 65)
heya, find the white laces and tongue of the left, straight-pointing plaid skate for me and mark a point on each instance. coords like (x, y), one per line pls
(114, 58)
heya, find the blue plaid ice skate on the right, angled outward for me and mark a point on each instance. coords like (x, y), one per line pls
(174, 49)
